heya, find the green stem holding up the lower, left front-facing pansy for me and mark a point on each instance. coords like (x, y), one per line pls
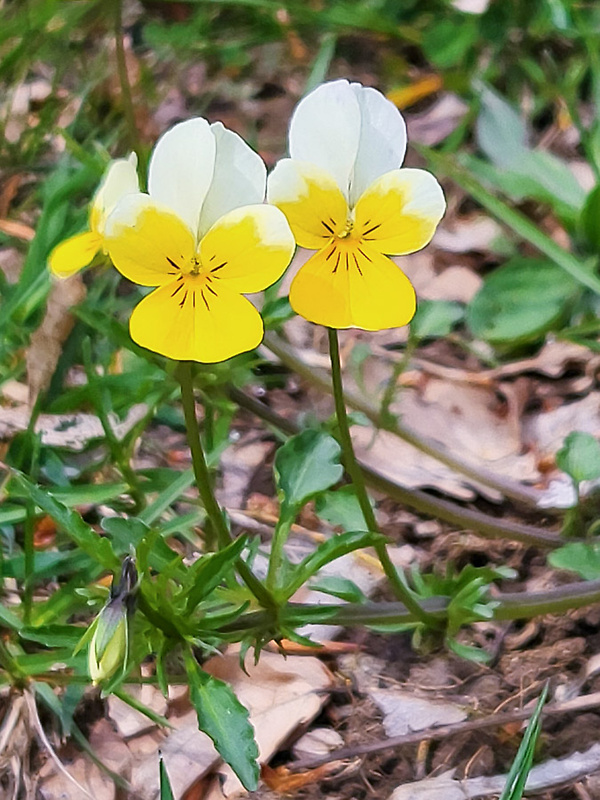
(204, 484)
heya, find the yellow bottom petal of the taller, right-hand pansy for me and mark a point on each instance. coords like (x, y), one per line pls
(351, 287)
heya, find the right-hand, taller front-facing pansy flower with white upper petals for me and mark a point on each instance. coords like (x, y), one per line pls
(345, 197)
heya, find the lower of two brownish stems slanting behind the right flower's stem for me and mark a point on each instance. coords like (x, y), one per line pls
(461, 518)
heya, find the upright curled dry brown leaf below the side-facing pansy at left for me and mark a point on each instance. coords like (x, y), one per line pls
(47, 341)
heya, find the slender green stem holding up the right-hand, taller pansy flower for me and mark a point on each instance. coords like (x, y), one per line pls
(393, 575)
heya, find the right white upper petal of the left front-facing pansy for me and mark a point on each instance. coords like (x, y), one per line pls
(239, 177)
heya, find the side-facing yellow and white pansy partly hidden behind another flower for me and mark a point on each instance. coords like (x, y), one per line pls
(77, 252)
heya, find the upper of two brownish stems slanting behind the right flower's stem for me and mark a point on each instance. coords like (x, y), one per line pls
(317, 377)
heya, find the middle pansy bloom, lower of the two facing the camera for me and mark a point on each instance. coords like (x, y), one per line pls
(203, 236)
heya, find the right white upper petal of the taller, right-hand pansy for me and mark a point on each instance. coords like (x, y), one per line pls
(382, 143)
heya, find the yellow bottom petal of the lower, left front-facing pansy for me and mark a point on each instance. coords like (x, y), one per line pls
(196, 326)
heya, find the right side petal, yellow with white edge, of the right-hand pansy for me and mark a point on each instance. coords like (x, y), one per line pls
(399, 212)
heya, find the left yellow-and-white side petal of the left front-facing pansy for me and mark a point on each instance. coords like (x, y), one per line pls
(147, 243)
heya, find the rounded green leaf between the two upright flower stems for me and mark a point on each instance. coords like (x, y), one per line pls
(306, 465)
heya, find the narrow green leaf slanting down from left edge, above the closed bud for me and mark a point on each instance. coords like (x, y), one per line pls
(71, 523)
